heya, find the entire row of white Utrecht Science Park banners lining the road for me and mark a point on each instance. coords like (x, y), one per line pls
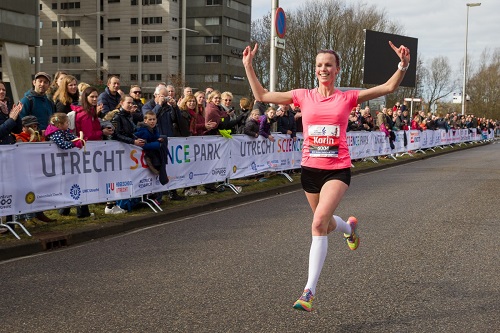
(41, 176)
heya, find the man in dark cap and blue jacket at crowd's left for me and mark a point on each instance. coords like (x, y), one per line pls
(35, 101)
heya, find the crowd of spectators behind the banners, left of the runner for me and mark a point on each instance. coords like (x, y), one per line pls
(66, 108)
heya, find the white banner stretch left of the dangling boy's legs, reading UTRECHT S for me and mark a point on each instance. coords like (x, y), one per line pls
(50, 177)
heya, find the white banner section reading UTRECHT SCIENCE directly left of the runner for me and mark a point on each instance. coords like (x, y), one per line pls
(250, 156)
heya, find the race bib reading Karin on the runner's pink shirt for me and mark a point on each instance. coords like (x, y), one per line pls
(324, 140)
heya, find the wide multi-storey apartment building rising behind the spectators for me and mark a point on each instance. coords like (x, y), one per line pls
(183, 42)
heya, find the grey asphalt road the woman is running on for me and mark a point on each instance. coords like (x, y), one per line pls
(428, 261)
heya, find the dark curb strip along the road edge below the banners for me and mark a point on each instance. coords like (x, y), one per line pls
(54, 240)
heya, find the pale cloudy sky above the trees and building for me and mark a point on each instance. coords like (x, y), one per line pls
(439, 25)
